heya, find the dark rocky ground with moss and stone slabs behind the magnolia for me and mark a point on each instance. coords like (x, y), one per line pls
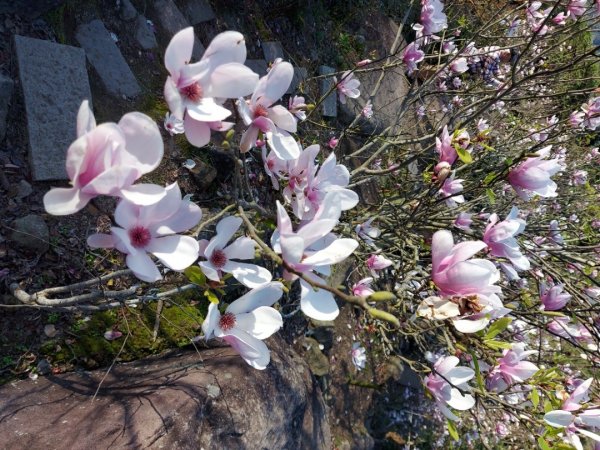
(123, 43)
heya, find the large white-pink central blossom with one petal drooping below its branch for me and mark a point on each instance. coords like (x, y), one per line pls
(313, 248)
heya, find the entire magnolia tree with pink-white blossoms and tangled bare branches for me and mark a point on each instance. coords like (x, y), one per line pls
(482, 250)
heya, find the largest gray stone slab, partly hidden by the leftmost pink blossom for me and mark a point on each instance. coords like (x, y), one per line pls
(55, 82)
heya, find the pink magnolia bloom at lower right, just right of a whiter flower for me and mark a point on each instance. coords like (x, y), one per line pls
(511, 368)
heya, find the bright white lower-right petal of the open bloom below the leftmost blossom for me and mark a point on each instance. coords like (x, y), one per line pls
(176, 252)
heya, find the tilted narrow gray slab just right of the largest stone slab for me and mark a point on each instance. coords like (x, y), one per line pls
(105, 56)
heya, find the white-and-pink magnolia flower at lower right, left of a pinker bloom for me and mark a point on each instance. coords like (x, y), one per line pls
(445, 384)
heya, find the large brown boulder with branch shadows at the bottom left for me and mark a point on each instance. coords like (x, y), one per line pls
(210, 400)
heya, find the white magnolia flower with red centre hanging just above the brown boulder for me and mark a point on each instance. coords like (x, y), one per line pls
(247, 322)
